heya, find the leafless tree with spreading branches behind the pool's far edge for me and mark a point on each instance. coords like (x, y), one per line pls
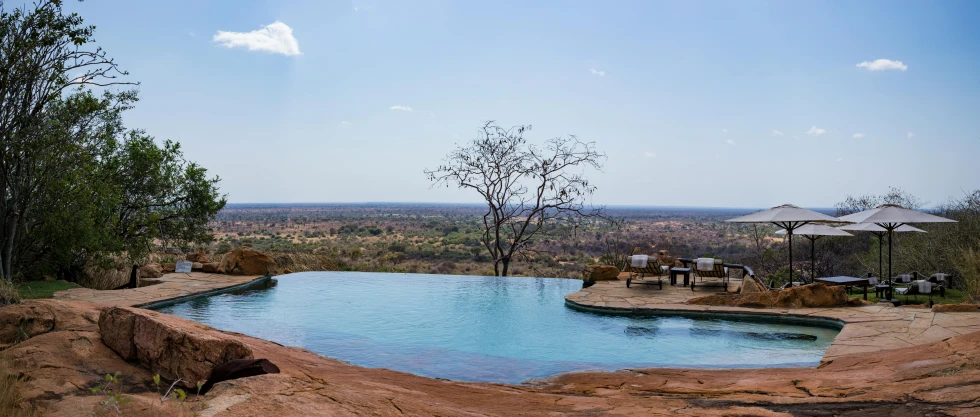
(528, 189)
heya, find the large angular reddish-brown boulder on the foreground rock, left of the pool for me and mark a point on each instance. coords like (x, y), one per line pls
(172, 347)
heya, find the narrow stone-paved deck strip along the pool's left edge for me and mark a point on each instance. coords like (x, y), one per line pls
(171, 286)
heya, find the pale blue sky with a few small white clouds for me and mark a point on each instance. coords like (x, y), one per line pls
(745, 104)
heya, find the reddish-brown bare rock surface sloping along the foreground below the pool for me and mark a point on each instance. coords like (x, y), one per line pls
(58, 345)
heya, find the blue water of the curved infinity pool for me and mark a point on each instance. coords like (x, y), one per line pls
(487, 328)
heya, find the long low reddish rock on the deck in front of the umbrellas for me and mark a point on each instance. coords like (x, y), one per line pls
(804, 296)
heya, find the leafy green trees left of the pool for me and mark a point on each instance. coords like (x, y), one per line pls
(76, 184)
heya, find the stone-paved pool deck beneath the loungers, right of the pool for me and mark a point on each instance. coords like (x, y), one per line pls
(866, 329)
